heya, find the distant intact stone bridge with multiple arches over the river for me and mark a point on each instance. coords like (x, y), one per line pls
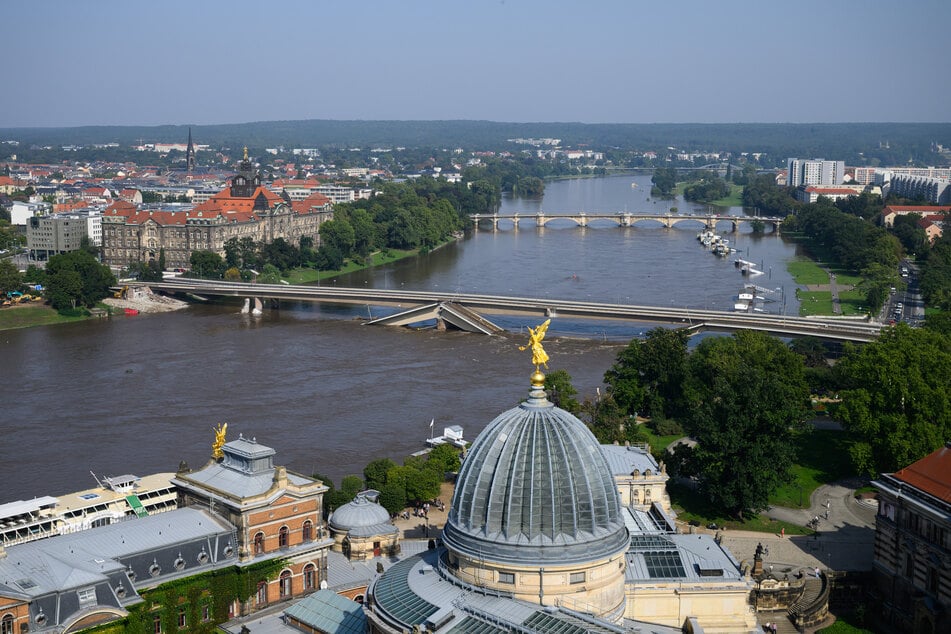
(624, 219)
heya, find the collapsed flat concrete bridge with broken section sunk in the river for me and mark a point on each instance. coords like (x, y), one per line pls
(697, 320)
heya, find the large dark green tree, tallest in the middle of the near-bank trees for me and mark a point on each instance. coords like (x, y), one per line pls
(746, 397)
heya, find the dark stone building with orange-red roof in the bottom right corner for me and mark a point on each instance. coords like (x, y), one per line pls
(912, 566)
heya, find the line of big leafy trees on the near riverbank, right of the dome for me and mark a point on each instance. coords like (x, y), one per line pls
(745, 399)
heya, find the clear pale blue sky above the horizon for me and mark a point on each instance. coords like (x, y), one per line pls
(199, 62)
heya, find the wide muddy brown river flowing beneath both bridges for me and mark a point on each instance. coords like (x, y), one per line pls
(139, 394)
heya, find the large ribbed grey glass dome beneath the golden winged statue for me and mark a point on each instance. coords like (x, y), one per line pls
(535, 487)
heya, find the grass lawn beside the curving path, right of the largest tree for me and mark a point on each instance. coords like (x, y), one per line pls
(823, 458)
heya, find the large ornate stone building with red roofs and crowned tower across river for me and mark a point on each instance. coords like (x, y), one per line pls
(246, 209)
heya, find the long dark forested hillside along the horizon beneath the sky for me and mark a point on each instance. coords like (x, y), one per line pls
(855, 143)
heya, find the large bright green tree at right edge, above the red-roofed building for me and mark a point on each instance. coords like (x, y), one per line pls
(895, 397)
